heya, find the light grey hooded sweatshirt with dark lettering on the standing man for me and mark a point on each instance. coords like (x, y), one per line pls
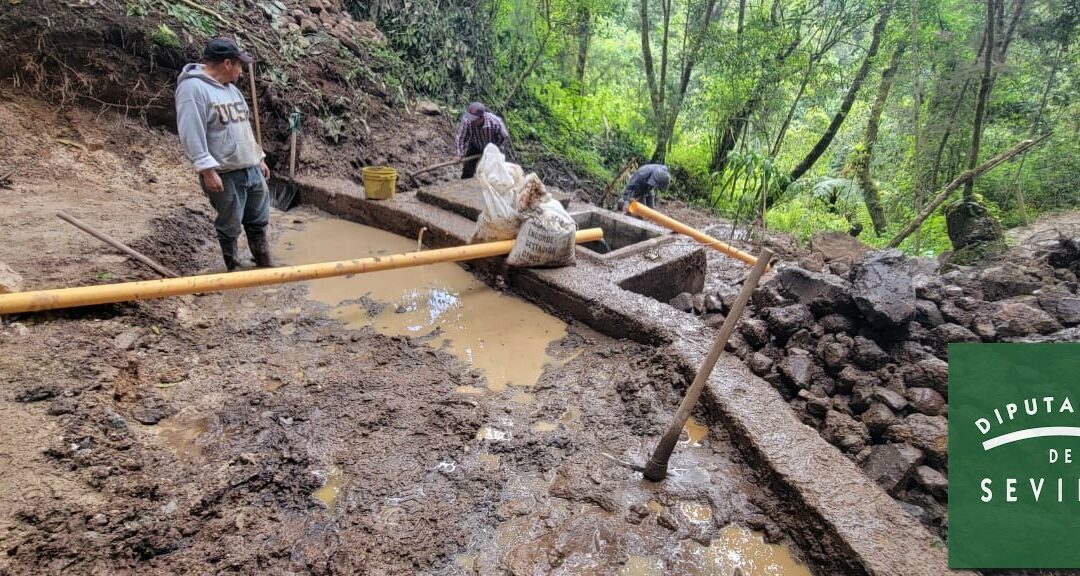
(214, 123)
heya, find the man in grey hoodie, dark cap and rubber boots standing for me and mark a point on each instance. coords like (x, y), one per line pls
(214, 125)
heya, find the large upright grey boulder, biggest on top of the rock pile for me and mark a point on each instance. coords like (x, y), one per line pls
(883, 290)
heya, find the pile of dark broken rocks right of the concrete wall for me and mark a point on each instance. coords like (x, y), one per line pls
(858, 343)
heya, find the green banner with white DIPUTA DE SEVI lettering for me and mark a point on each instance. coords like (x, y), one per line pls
(1015, 456)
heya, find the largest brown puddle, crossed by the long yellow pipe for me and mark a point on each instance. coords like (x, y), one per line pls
(504, 337)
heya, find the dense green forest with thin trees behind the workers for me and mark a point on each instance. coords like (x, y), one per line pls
(823, 114)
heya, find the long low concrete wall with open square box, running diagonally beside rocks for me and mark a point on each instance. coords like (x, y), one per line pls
(845, 523)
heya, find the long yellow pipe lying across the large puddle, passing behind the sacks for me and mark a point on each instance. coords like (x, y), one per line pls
(50, 300)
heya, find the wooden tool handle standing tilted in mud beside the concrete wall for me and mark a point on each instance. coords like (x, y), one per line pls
(657, 467)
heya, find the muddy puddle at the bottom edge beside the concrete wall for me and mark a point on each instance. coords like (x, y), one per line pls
(737, 548)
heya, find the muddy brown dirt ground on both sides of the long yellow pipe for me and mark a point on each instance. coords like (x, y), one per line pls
(253, 433)
